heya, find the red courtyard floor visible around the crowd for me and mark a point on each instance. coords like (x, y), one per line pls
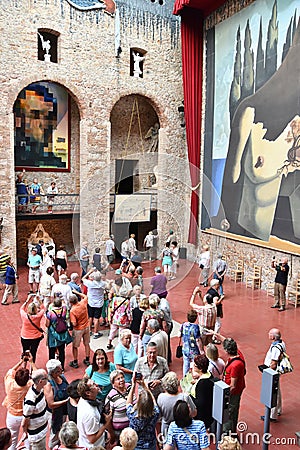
(247, 318)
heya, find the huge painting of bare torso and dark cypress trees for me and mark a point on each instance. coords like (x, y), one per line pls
(252, 130)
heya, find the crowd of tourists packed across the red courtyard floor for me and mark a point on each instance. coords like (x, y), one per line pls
(126, 397)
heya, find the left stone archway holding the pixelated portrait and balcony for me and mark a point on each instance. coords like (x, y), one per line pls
(47, 146)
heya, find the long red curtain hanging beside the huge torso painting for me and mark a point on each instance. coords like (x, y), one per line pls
(192, 59)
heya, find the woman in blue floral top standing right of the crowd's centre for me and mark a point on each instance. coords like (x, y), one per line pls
(190, 334)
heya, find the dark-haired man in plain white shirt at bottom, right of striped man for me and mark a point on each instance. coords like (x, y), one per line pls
(92, 432)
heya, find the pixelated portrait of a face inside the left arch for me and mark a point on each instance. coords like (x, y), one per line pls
(41, 120)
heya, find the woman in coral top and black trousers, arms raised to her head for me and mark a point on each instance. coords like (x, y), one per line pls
(31, 332)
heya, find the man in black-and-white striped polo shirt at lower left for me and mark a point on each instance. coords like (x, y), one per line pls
(35, 422)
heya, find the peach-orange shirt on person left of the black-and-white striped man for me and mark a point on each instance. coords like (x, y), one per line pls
(15, 394)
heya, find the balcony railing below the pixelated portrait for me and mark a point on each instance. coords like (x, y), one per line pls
(61, 203)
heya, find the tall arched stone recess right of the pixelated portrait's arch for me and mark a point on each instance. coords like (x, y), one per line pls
(134, 156)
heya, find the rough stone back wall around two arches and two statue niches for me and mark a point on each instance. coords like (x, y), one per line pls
(96, 80)
